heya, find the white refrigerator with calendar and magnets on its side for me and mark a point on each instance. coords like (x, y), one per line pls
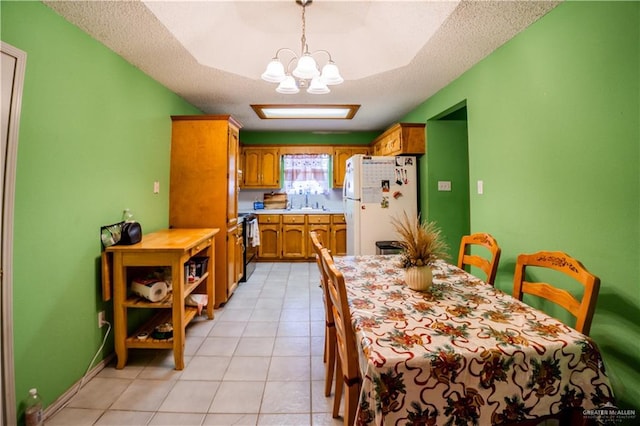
(375, 190)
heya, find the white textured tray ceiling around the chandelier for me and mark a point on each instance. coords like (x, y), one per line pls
(392, 54)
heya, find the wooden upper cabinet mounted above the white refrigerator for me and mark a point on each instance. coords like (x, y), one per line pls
(401, 138)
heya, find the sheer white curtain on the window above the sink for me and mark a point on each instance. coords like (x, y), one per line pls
(306, 173)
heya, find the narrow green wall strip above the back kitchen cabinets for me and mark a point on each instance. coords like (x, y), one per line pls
(305, 138)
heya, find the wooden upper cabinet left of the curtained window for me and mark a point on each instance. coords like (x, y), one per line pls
(260, 167)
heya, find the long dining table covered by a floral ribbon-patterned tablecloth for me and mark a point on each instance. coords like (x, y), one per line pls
(462, 352)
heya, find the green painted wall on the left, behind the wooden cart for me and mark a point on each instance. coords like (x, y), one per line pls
(95, 134)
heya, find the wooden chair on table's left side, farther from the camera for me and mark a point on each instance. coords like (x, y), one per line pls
(329, 356)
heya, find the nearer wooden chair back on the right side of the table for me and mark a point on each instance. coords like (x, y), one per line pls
(582, 309)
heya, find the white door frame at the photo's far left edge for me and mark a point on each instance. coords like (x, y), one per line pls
(11, 107)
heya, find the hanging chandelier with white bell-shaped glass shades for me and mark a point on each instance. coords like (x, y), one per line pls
(306, 72)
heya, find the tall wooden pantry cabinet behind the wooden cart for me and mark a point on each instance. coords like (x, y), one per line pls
(204, 187)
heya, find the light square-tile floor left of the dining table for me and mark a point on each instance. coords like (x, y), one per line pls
(259, 362)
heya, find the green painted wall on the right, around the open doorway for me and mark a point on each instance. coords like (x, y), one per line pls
(554, 131)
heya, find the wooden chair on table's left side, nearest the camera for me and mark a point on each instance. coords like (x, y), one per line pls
(347, 366)
